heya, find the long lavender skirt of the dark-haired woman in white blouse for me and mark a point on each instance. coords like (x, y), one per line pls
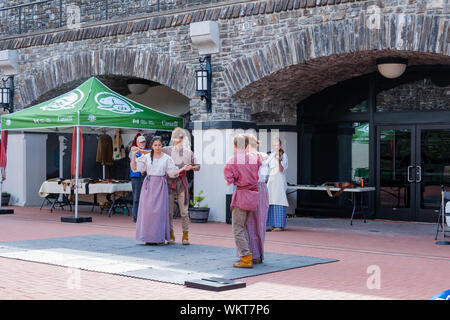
(153, 224)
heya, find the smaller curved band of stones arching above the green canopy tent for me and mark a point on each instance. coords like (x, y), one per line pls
(51, 74)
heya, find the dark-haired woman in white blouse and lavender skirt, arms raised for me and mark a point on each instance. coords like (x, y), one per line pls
(153, 226)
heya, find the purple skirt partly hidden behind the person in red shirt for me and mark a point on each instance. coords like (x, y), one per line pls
(256, 224)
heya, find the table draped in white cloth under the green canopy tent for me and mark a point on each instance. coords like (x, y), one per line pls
(85, 187)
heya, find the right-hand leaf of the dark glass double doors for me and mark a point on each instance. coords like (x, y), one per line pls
(433, 169)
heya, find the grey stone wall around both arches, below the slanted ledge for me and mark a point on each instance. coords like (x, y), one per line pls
(273, 54)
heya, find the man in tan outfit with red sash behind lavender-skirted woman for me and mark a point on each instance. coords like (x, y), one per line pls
(182, 155)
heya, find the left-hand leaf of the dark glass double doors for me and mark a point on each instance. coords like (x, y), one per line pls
(396, 170)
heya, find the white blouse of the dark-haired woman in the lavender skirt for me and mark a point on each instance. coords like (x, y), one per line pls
(160, 166)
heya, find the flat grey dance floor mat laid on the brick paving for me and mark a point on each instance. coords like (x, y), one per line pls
(124, 256)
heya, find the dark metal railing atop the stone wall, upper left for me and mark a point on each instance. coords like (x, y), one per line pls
(21, 19)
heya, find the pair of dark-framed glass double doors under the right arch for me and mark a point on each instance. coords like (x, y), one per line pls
(413, 165)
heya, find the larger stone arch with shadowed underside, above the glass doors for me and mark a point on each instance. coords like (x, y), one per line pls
(422, 38)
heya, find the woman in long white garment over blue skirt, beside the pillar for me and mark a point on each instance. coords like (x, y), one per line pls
(277, 185)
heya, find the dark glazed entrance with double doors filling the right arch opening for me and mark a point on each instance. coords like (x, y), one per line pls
(393, 133)
